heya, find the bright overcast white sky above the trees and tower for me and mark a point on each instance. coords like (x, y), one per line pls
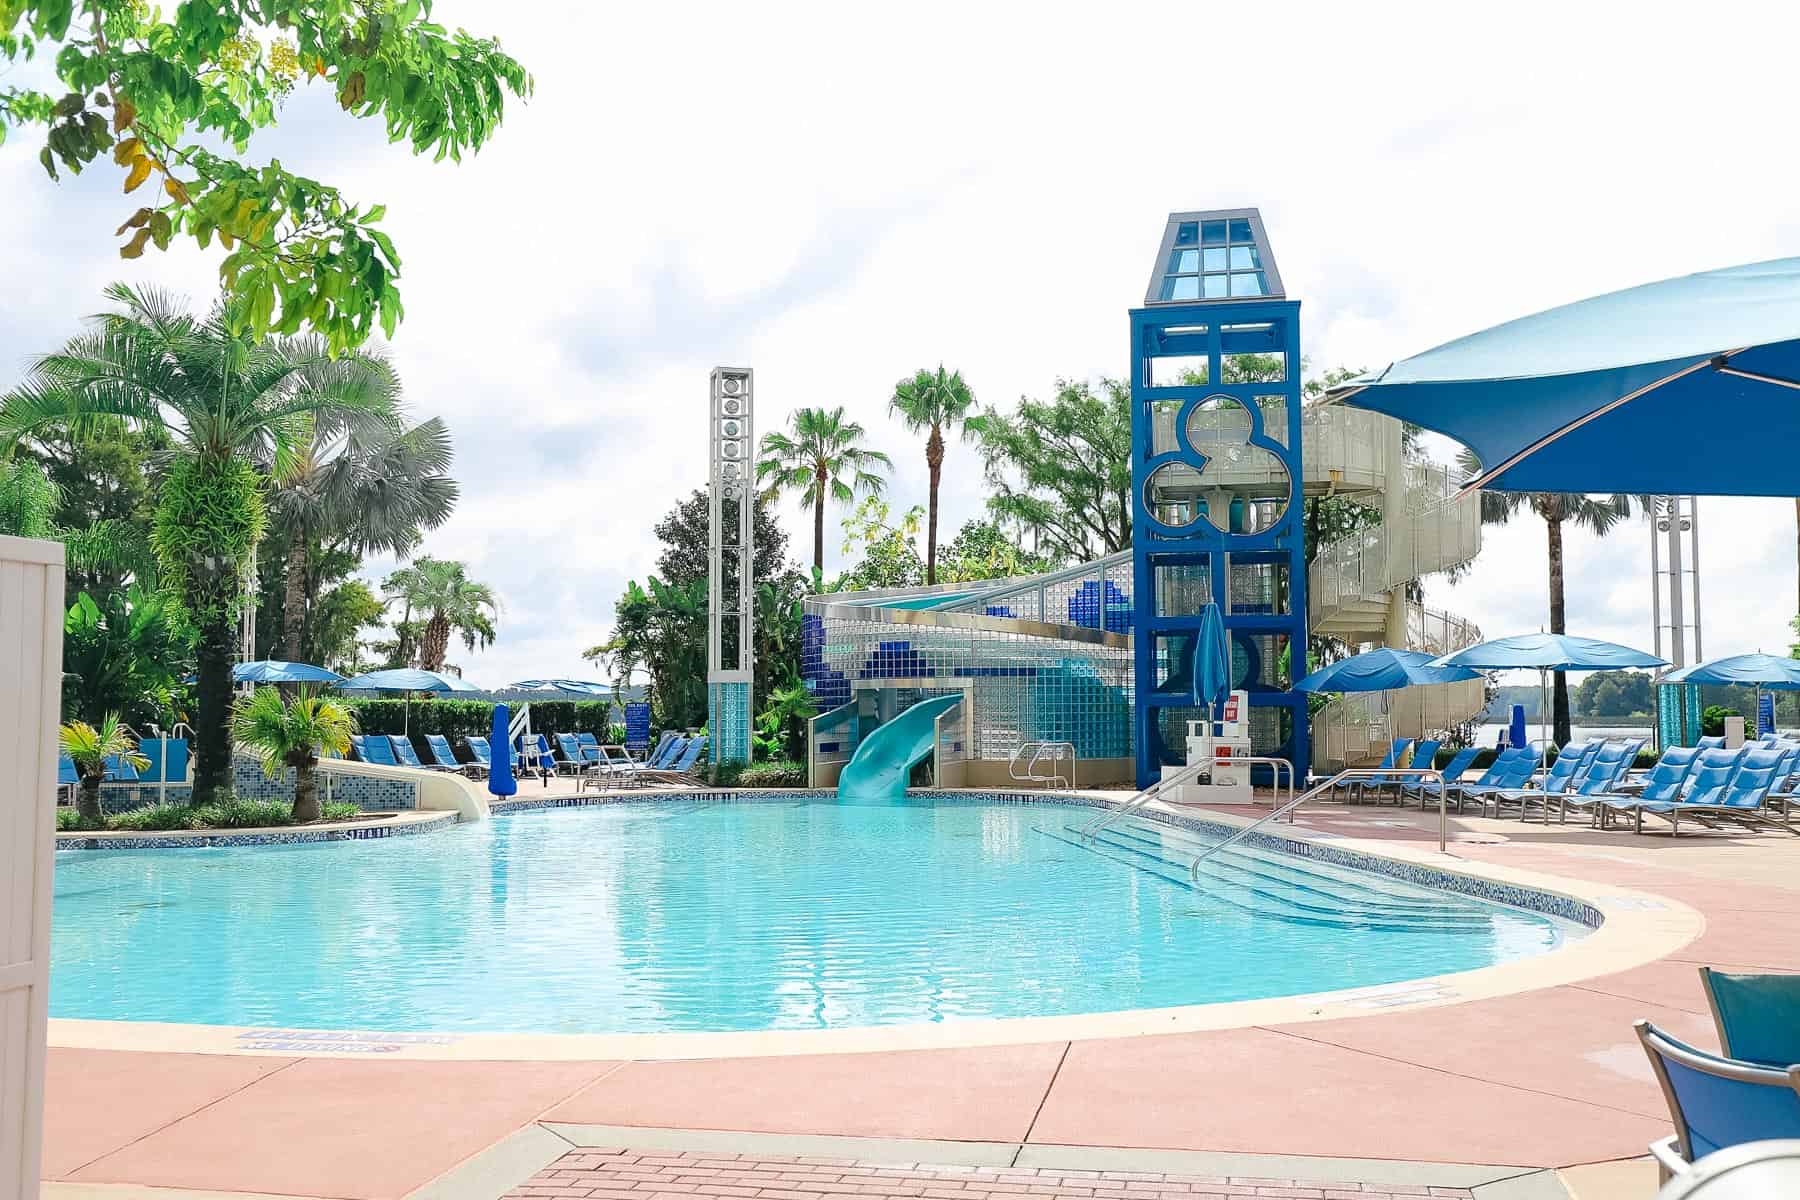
(840, 195)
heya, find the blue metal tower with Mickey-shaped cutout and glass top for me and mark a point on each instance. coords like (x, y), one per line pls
(1209, 301)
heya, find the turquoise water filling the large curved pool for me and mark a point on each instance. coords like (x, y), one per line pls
(768, 915)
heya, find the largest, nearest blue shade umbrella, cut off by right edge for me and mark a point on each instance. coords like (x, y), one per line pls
(1677, 388)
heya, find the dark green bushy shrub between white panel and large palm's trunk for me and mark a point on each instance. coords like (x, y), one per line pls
(125, 652)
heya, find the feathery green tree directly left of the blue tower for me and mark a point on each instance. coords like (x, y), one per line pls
(1061, 469)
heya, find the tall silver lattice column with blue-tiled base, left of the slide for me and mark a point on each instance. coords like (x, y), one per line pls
(732, 573)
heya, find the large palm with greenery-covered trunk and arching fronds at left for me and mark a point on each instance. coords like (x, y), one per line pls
(229, 402)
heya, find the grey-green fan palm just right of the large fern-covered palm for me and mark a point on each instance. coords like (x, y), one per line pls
(366, 487)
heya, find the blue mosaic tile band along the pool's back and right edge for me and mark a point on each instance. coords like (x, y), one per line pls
(1495, 891)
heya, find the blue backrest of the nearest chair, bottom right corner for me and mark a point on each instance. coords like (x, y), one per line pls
(1720, 1102)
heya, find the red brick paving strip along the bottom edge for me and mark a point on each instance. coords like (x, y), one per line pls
(703, 1176)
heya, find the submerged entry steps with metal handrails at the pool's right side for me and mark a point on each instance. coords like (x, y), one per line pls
(1272, 884)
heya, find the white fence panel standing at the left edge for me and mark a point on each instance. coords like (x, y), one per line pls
(31, 672)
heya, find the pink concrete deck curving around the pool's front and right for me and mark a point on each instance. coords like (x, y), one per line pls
(1540, 1079)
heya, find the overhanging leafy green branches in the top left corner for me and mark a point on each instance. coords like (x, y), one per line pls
(177, 93)
